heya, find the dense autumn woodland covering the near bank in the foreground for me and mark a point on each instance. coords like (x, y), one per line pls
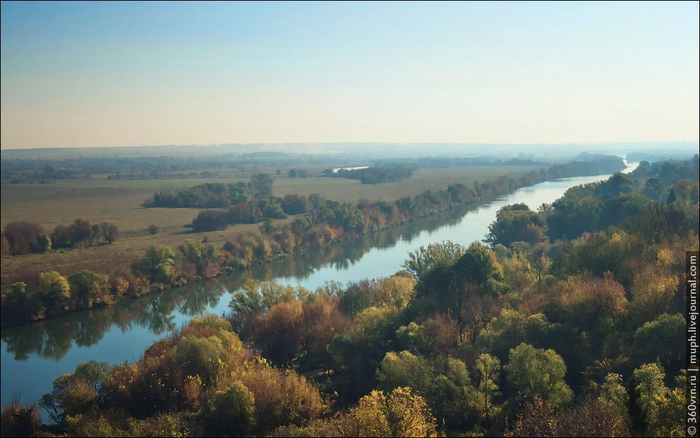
(547, 331)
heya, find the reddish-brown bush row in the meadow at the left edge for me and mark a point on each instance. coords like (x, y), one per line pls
(26, 237)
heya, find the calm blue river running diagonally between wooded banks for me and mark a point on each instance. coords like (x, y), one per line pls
(33, 355)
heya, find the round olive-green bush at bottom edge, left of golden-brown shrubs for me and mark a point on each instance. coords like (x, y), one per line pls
(230, 412)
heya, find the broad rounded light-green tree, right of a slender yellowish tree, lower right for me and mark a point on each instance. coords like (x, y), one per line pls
(535, 372)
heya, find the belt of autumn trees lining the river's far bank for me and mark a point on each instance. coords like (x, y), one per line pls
(52, 294)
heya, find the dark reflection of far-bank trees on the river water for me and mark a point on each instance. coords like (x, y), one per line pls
(51, 339)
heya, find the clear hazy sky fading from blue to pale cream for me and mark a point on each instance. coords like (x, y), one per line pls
(127, 74)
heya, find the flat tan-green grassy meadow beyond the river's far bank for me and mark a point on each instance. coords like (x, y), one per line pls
(120, 202)
